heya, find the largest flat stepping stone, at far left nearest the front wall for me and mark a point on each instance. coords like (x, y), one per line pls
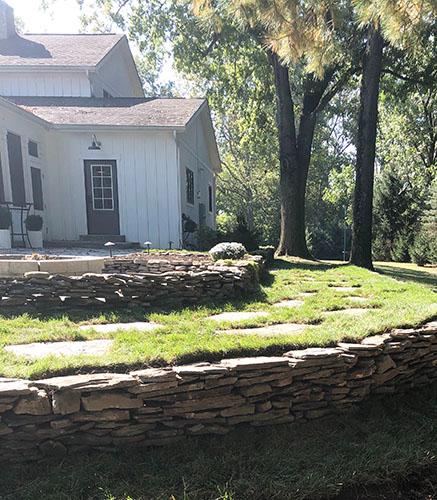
(42, 349)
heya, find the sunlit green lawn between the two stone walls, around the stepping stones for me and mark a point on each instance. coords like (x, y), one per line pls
(187, 334)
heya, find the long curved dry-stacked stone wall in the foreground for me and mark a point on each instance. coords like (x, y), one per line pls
(156, 406)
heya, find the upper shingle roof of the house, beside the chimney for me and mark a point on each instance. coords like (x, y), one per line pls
(56, 50)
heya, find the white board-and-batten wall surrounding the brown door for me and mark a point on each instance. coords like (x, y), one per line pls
(147, 177)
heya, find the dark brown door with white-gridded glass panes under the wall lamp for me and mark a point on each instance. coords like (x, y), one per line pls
(101, 190)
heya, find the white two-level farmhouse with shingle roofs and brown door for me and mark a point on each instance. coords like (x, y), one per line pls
(83, 147)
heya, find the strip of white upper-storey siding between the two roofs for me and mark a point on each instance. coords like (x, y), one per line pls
(45, 83)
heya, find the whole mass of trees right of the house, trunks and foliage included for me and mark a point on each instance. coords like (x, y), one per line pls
(304, 78)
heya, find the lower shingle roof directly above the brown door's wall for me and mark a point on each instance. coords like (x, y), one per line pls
(121, 111)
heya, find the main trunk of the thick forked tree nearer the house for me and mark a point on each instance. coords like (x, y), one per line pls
(292, 176)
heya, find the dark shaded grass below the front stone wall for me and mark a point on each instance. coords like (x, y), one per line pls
(385, 449)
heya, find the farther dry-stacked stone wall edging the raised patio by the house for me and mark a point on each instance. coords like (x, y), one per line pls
(213, 282)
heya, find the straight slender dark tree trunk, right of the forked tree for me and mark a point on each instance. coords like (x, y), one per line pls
(361, 253)
